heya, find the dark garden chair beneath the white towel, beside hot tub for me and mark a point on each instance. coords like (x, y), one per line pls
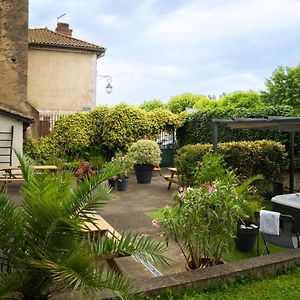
(286, 237)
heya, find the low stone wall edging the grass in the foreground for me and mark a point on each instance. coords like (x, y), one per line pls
(258, 267)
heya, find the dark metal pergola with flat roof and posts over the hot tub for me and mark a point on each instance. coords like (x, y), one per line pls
(281, 124)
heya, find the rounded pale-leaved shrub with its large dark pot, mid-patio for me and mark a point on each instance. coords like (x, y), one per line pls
(145, 154)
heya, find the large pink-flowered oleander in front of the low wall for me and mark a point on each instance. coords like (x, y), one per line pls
(203, 222)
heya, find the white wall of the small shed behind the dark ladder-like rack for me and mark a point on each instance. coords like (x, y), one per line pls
(5, 125)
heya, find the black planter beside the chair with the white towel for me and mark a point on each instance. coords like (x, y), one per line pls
(246, 238)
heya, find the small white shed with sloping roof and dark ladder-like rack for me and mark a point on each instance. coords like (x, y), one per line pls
(13, 125)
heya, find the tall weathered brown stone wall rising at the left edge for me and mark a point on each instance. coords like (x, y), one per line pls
(14, 57)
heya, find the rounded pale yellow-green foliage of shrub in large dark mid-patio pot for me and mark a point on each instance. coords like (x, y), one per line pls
(145, 152)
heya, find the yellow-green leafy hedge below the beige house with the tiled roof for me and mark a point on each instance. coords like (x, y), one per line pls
(102, 132)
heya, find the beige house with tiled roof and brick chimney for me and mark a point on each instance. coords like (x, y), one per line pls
(62, 71)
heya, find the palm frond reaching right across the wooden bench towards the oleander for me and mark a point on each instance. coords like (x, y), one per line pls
(147, 249)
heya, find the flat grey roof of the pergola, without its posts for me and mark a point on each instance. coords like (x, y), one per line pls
(281, 124)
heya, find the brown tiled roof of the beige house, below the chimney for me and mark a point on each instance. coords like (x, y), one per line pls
(46, 37)
